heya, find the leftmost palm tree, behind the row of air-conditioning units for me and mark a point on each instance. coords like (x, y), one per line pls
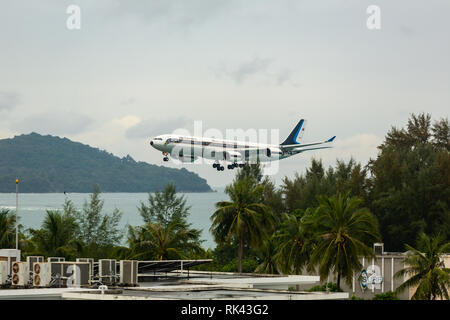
(57, 236)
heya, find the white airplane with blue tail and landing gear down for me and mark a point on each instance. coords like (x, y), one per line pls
(233, 153)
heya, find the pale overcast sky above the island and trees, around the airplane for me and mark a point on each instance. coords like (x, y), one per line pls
(135, 69)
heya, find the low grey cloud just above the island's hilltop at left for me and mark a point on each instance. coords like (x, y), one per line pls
(58, 123)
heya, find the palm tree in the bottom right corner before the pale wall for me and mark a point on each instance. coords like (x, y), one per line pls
(426, 270)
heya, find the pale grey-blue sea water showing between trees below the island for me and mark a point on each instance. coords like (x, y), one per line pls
(32, 207)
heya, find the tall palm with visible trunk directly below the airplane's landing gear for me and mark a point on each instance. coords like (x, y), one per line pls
(244, 217)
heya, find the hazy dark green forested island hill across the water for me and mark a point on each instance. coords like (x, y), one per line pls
(45, 164)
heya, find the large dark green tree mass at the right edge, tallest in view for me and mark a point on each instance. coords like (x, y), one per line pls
(410, 184)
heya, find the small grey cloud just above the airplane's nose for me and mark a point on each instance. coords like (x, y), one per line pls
(153, 127)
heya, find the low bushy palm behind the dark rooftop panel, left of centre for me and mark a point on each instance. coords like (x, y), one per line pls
(156, 241)
